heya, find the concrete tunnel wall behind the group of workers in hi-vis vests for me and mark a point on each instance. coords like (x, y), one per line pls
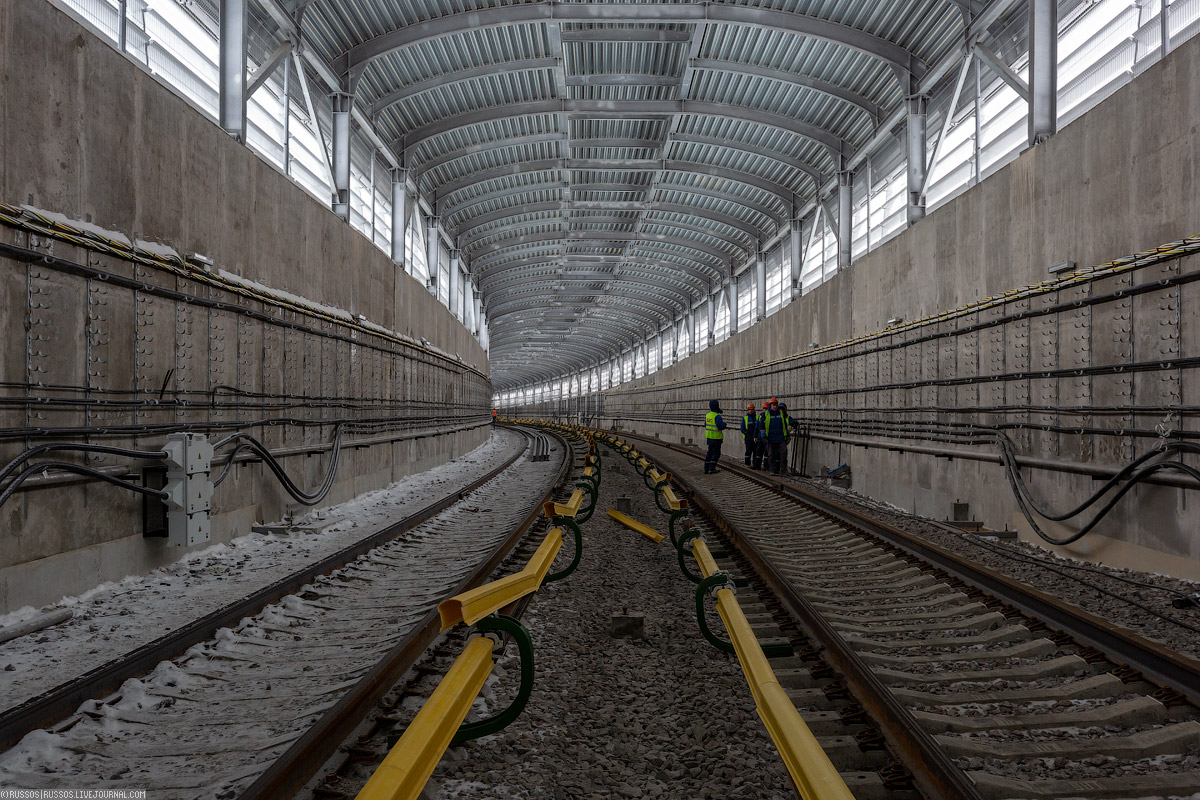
(1119, 181)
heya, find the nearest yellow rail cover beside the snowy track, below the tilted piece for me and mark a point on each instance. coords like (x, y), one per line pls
(411, 763)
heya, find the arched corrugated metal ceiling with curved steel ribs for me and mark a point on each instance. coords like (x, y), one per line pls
(604, 166)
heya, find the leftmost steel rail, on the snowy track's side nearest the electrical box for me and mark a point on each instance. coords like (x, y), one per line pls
(62, 702)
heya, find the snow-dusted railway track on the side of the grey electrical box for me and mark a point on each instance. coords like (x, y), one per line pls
(256, 709)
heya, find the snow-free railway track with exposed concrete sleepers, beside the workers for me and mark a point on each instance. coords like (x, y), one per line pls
(976, 696)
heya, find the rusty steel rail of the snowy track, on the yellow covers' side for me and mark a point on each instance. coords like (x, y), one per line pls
(310, 753)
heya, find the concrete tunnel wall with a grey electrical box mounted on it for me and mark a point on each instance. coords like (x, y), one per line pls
(88, 134)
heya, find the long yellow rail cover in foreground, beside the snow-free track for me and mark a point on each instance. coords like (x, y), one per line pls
(814, 774)
